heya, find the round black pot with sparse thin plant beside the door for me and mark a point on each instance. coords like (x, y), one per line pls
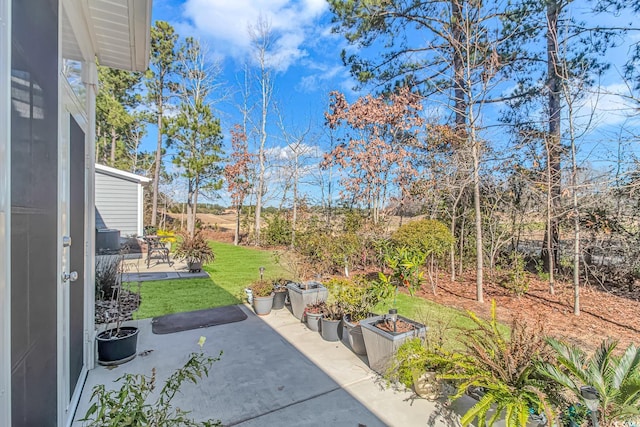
(117, 344)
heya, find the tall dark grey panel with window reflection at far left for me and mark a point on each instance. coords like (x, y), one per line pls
(34, 213)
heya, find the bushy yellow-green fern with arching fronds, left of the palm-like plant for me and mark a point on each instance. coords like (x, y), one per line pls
(504, 368)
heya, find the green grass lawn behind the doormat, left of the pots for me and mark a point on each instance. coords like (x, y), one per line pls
(234, 268)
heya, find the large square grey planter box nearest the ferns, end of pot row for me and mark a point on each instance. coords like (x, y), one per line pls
(382, 345)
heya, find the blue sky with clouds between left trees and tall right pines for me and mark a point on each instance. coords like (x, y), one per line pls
(307, 64)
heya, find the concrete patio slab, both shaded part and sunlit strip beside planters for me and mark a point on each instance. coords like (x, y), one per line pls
(274, 372)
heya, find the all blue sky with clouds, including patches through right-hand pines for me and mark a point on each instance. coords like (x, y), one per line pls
(308, 65)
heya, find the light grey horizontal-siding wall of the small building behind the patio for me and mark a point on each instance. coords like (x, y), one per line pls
(117, 204)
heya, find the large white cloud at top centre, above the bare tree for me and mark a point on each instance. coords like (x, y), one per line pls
(226, 23)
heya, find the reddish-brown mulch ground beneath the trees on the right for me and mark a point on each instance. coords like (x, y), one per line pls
(604, 314)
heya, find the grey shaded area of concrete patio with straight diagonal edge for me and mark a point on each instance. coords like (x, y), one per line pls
(261, 380)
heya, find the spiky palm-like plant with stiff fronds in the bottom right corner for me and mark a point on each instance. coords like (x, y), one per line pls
(616, 378)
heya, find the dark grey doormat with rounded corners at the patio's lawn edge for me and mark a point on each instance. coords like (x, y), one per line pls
(196, 319)
